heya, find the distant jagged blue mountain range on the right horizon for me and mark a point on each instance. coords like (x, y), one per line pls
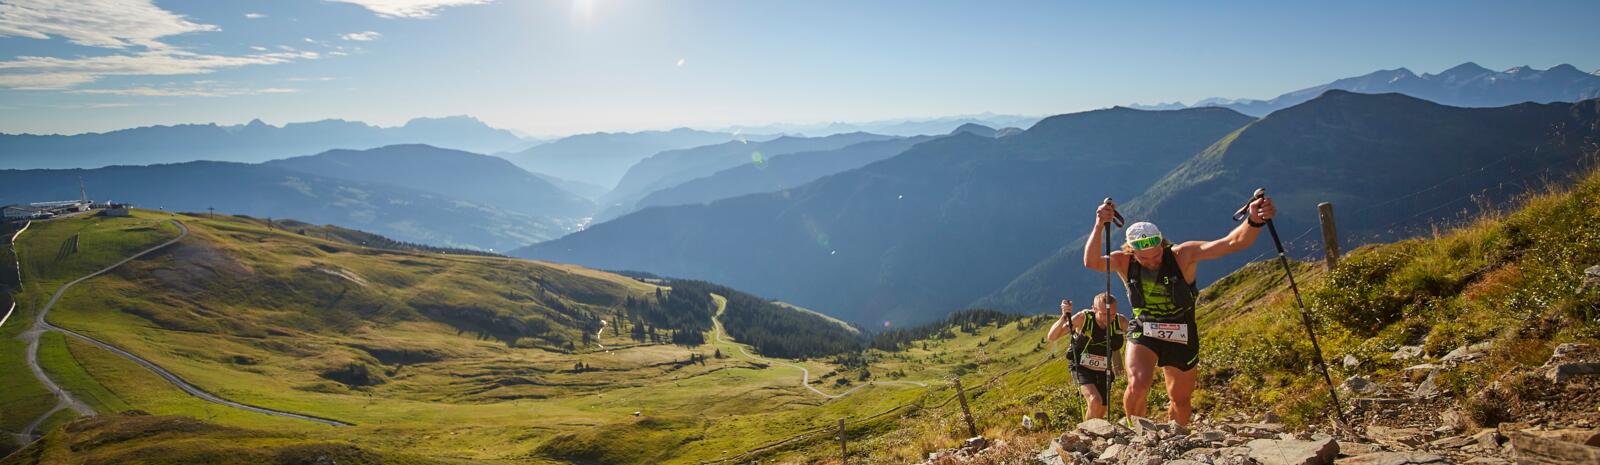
(1466, 85)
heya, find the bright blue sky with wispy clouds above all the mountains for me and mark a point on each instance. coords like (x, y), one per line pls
(561, 68)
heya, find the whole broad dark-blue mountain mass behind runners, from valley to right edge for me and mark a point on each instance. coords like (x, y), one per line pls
(914, 237)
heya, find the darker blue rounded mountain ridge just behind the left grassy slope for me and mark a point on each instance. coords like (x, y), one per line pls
(415, 194)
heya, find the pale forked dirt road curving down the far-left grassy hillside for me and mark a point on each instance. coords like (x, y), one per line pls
(68, 402)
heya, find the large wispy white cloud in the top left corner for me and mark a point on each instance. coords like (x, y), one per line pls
(132, 28)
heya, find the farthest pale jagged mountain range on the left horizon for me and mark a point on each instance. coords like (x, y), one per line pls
(250, 143)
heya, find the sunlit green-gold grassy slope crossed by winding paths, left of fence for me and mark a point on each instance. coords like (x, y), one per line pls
(406, 344)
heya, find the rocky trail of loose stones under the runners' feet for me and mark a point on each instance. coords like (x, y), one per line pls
(1530, 416)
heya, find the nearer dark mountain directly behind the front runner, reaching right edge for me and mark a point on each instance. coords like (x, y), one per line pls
(1391, 165)
